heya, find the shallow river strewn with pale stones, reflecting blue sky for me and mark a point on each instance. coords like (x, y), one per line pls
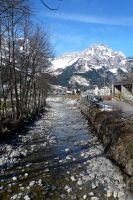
(58, 157)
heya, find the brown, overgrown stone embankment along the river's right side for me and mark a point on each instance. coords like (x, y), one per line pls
(116, 134)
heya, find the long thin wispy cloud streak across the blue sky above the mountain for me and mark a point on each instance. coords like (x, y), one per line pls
(121, 21)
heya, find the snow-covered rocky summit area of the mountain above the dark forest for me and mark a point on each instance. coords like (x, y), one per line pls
(96, 55)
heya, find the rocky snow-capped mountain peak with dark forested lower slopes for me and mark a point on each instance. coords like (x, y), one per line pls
(94, 65)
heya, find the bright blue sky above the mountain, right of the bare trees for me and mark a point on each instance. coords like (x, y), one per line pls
(79, 23)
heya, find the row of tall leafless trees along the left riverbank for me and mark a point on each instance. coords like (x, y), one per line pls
(25, 52)
